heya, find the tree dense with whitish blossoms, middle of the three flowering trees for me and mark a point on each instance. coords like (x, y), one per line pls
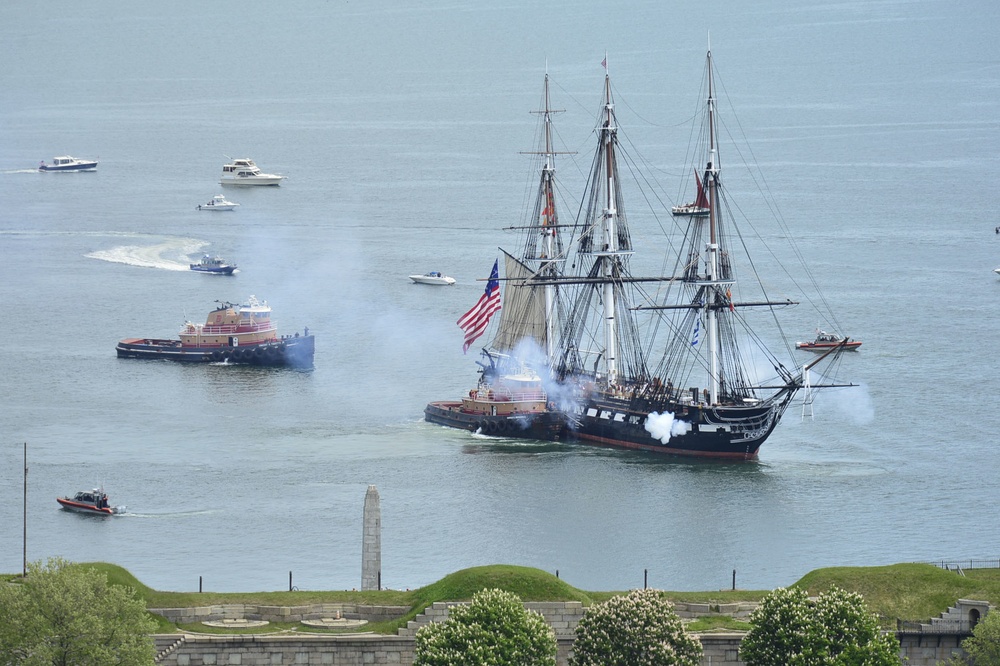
(636, 629)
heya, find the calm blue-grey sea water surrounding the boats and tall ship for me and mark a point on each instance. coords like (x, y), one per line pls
(400, 126)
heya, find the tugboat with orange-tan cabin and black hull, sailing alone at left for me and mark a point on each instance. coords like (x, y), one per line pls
(241, 334)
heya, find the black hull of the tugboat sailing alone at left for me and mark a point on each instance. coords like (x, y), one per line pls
(292, 352)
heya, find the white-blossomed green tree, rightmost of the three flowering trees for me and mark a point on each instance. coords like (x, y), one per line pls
(789, 629)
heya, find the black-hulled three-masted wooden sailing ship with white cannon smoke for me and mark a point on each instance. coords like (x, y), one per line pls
(664, 363)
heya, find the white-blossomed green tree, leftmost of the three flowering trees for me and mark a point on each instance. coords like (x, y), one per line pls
(495, 629)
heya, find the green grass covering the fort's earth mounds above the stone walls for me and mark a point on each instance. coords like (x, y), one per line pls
(914, 592)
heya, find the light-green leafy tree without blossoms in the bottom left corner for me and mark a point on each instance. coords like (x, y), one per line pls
(67, 615)
